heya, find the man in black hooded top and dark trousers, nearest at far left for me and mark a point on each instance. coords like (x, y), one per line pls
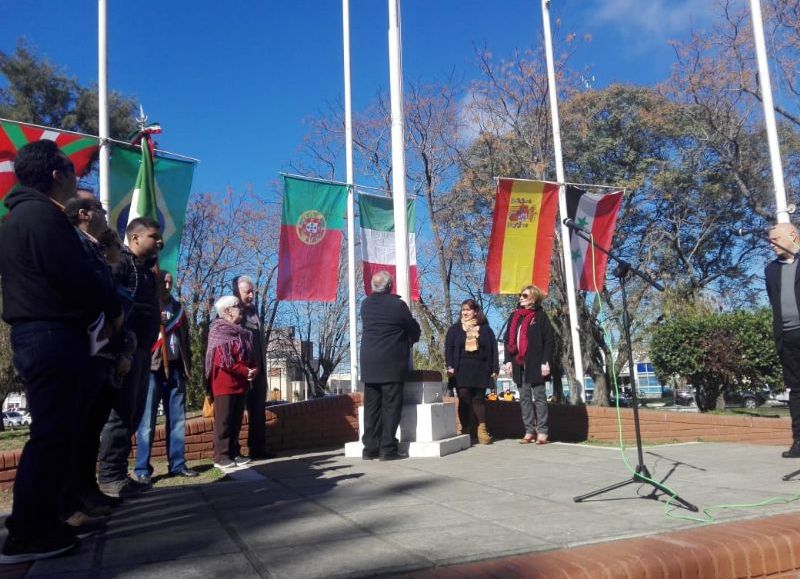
(51, 293)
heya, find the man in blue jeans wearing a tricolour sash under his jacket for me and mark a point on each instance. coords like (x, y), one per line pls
(167, 386)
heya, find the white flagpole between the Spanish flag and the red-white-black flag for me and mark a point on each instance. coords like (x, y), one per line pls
(562, 204)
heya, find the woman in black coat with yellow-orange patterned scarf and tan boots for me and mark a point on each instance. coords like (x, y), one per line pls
(471, 358)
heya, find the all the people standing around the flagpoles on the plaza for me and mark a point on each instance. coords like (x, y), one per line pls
(97, 334)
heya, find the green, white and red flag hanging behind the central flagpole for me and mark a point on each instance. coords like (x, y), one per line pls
(376, 217)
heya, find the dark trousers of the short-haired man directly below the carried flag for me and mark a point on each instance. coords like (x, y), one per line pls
(124, 419)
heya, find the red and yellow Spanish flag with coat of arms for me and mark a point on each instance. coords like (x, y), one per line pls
(522, 236)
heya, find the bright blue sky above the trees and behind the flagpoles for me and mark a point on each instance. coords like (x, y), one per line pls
(232, 82)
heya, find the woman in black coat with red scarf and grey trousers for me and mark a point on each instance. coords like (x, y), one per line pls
(529, 349)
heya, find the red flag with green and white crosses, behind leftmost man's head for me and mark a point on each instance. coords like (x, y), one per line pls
(81, 149)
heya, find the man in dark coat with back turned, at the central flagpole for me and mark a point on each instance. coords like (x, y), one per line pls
(388, 331)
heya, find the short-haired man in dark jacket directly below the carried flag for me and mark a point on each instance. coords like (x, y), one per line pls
(134, 274)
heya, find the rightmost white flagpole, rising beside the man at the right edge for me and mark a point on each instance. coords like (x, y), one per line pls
(782, 213)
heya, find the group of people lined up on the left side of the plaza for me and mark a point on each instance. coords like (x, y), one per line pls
(99, 343)
